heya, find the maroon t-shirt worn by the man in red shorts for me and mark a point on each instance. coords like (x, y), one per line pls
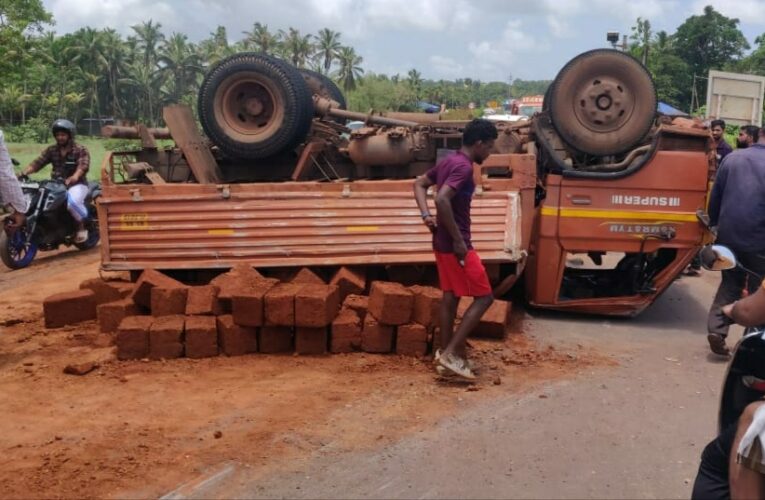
(455, 171)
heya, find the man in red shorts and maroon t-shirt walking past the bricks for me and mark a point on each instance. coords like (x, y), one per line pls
(460, 270)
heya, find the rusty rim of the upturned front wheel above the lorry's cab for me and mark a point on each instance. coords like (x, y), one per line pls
(604, 104)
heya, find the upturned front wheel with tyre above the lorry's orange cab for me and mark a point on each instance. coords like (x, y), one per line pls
(603, 102)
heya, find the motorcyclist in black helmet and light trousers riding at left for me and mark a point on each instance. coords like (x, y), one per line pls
(71, 162)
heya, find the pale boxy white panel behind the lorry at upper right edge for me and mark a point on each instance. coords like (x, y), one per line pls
(735, 97)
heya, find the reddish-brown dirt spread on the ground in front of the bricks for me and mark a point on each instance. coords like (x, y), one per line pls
(141, 428)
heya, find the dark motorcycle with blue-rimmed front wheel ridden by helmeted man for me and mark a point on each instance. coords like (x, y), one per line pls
(49, 223)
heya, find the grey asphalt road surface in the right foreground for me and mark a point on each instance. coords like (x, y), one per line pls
(632, 431)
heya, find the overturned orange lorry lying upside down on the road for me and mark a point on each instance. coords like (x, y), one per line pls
(591, 206)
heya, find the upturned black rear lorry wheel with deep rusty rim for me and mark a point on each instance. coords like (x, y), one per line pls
(254, 106)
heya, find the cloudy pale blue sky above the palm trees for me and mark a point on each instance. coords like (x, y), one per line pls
(480, 39)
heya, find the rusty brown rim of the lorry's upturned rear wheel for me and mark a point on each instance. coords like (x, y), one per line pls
(249, 107)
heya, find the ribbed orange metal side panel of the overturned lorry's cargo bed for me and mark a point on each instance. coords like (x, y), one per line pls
(202, 228)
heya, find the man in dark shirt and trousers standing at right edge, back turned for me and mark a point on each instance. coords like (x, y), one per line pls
(735, 206)
